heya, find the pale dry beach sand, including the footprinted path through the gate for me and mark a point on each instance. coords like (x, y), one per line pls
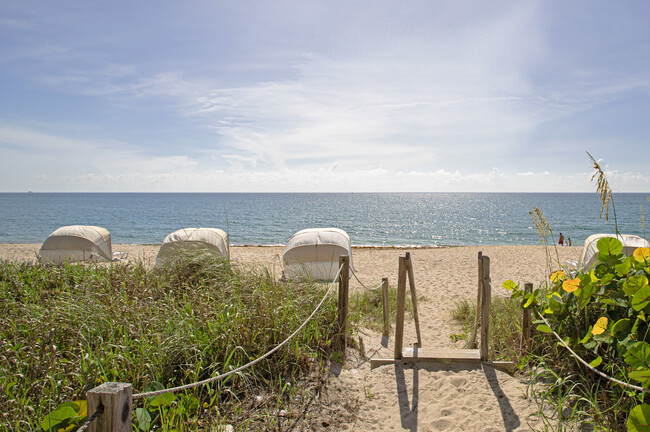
(427, 397)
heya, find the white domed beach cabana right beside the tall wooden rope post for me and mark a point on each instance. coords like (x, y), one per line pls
(314, 253)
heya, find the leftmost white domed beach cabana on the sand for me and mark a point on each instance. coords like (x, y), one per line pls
(76, 243)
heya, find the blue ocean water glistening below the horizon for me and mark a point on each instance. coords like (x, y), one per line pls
(371, 219)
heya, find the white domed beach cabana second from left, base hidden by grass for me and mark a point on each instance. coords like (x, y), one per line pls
(185, 240)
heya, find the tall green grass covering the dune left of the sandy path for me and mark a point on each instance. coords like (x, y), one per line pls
(64, 330)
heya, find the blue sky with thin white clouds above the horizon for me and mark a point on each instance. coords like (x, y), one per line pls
(327, 96)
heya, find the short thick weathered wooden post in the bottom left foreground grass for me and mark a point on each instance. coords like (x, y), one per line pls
(116, 400)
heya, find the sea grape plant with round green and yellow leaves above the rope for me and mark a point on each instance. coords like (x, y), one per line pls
(603, 314)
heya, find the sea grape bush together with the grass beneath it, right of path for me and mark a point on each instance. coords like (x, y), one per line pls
(602, 315)
